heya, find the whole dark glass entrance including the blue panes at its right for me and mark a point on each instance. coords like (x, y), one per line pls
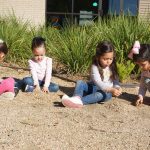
(75, 11)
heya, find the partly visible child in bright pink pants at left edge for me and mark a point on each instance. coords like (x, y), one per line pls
(6, 85)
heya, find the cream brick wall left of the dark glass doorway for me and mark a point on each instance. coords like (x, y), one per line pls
(31, 10)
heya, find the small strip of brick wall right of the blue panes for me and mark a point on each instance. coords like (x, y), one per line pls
(144, 9)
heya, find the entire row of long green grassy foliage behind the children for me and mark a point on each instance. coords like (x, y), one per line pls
(74, 46)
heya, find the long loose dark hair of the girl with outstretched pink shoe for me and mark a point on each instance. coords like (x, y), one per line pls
(102, 48)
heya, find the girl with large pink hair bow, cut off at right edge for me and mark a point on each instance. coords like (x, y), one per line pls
(140, 54)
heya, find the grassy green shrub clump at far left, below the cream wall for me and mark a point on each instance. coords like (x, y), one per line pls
(17, 37)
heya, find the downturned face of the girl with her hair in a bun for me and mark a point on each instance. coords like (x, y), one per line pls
(39, 53)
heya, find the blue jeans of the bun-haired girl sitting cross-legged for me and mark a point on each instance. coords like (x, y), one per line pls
(29, 81)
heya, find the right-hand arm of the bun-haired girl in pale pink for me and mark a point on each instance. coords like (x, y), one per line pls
(48, 74)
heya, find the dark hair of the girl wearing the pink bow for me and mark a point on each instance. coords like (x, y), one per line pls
(144, 53)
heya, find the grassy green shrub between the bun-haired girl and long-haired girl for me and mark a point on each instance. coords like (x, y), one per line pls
(74, 47)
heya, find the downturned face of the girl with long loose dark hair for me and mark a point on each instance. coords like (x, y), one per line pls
(106, 60)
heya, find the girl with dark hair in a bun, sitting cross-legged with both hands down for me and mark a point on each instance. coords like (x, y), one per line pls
(41, 69)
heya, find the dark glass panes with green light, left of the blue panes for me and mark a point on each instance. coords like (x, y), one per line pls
(62, 11)
